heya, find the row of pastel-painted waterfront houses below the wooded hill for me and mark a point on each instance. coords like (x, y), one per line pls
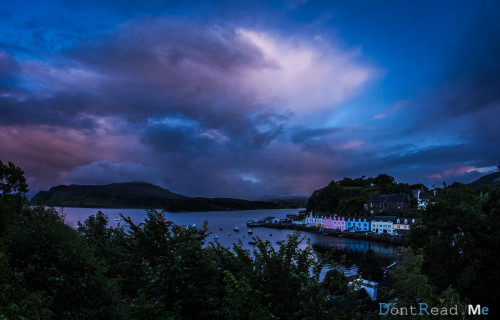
(377, 224)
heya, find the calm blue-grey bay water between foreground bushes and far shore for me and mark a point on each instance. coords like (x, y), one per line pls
(227, 220)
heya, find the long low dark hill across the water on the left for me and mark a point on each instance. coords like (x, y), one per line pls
(139, 195)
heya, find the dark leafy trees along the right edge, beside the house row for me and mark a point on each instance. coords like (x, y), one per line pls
(454, 251)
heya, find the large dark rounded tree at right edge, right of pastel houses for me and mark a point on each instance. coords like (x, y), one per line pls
(458, 239)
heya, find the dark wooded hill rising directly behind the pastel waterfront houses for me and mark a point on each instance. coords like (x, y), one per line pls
(348, 196)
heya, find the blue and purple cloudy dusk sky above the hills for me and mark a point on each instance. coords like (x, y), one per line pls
(250, 99)
